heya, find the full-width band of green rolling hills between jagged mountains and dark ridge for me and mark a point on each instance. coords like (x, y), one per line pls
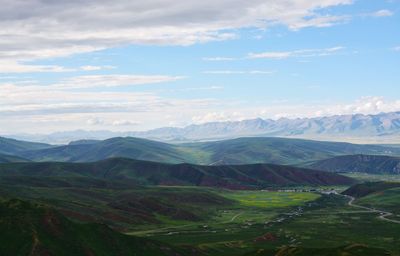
(250, 150)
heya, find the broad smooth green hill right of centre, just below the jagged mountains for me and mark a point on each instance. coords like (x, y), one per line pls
(281, 150)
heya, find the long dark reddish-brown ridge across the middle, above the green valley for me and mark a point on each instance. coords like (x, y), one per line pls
(254, 176)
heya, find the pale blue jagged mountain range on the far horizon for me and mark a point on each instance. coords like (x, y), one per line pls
(379, 128)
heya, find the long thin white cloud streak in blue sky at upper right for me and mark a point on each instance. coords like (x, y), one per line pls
(297, 53)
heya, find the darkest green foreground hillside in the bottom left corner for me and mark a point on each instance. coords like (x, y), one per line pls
(32, 229)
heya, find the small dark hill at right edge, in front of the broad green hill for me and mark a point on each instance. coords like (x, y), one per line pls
(372, 164)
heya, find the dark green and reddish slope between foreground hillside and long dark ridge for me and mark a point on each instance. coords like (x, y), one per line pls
(123, 208)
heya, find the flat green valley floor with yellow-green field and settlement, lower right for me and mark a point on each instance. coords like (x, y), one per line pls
(327, 222)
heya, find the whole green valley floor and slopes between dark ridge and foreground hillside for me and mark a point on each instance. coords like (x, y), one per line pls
(208, 221)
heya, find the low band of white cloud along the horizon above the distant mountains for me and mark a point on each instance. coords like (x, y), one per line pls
(51, 108)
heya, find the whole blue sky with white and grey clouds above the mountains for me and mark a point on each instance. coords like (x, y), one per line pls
(130, 65)
